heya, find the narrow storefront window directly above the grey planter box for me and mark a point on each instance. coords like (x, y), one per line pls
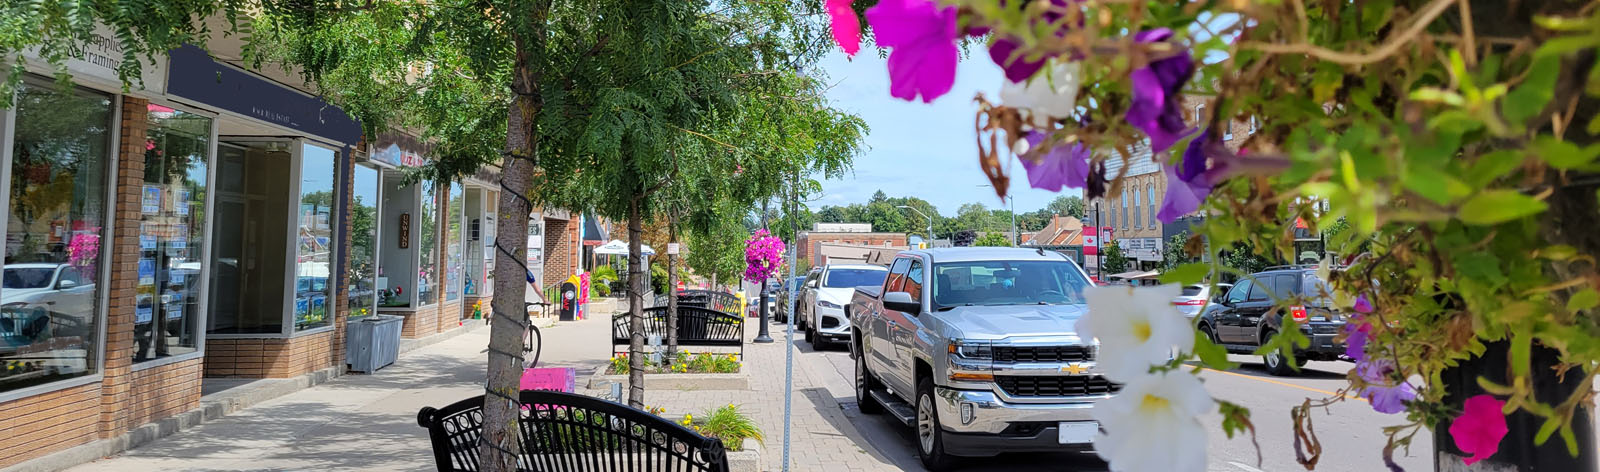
(364, 242)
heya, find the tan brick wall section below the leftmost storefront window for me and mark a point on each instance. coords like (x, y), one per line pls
(42, 425)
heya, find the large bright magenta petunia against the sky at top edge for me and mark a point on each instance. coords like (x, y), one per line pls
(922, 39)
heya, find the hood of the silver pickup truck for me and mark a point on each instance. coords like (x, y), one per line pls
(996, 322)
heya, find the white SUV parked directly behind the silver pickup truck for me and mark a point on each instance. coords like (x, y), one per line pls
(822, 313)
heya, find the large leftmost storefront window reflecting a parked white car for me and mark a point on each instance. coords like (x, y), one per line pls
(55, 225)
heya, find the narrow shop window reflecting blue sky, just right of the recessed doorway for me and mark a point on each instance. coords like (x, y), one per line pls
(314, 234)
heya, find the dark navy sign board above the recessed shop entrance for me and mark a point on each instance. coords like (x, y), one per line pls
(198, 78)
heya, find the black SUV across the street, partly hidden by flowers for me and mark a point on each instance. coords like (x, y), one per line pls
(1246, 318)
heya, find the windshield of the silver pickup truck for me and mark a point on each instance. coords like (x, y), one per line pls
(1007, 284)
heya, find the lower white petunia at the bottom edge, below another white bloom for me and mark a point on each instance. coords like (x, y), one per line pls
(1153, 425)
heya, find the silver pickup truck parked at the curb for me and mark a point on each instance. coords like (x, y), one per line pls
(977, 350)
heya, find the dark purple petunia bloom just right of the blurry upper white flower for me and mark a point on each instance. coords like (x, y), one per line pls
(1156, 103)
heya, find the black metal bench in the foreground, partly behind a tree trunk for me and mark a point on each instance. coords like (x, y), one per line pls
(574, 433)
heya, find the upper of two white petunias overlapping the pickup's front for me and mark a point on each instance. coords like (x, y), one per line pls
(1137, 329)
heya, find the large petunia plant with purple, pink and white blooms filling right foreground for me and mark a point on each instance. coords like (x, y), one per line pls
(1449, 158)
